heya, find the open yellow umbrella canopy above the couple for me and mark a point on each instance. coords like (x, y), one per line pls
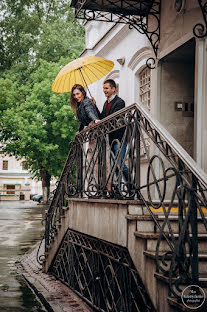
(84, 71)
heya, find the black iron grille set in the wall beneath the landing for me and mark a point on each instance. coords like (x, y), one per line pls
(103, 274)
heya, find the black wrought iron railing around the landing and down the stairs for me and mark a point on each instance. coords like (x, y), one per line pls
(148, 164)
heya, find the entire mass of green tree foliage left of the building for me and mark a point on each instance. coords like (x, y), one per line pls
(38, 38)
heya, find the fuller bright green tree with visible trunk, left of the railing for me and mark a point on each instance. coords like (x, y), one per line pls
(40, 128)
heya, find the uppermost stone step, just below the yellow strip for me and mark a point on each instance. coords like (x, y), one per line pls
(148, 225)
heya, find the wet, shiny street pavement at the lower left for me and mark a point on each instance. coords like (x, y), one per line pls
(21, 228)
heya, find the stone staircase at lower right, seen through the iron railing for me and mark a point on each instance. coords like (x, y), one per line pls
(143, 252)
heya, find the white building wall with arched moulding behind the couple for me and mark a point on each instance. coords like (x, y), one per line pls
(114, 42)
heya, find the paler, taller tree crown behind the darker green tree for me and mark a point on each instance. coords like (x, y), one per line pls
(38, 29)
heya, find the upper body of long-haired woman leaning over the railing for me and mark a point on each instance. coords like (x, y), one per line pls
(84, 108)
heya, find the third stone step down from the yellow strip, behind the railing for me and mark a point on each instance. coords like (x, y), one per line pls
(202, 259)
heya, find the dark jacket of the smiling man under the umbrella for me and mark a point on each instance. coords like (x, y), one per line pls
(116, 105)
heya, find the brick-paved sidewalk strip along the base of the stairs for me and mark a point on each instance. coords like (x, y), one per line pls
(54, 295)
